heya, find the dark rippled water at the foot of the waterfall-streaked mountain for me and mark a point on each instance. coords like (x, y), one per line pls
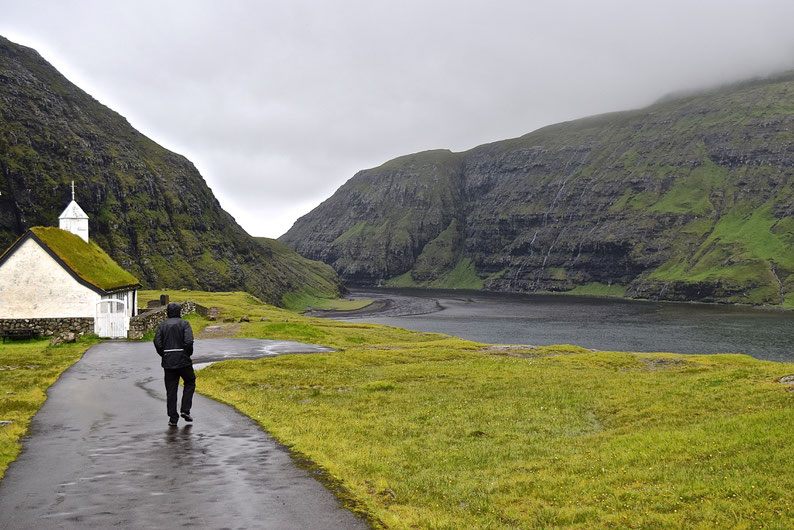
(603, 324)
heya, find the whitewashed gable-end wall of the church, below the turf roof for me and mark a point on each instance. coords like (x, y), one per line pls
(34, 285)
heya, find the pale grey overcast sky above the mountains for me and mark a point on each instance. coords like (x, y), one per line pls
(278, 103)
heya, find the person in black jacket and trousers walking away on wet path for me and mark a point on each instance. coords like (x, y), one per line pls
(174, 343)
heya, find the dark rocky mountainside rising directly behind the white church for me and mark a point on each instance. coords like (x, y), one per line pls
(149, 208)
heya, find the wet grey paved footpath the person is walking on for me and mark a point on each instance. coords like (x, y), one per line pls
(101, 454)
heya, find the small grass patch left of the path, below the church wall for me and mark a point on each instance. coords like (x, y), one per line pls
(27, 369)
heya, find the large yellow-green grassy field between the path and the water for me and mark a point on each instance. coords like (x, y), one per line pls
(429, 431)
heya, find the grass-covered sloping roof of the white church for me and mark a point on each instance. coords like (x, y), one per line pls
(86, 260)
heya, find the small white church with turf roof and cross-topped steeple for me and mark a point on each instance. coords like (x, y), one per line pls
(52, 274)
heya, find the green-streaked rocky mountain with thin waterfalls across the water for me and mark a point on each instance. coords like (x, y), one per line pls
(688, 199)
